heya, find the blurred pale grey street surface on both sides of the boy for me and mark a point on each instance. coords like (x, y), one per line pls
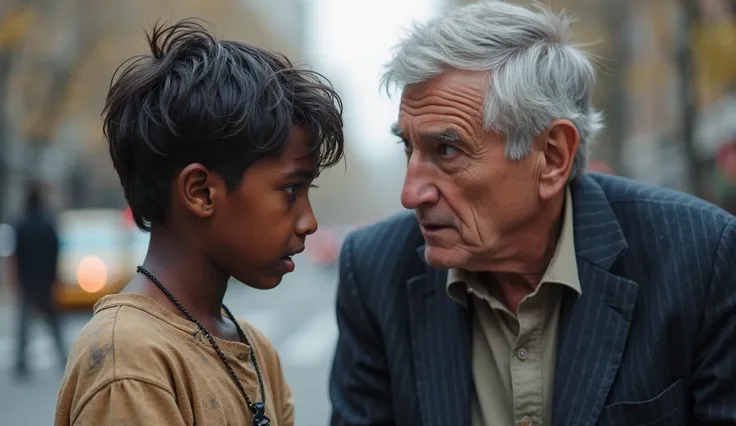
(297, 316)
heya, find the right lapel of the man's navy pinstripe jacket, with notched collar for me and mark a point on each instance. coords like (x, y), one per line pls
(593, 327)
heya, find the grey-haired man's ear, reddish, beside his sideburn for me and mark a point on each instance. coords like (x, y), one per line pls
(559, 146)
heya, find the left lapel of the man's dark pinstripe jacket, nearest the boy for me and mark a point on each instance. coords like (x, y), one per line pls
(440, 343)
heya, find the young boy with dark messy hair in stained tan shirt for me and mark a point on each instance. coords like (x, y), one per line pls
(216, 144)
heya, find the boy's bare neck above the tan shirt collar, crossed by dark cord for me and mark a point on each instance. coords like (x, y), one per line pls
(195, 282)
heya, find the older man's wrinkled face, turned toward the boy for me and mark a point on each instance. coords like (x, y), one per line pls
(469, 199)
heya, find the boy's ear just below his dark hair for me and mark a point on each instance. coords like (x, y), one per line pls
(198, 188)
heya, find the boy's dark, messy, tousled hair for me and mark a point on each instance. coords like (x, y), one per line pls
(221, 103)
